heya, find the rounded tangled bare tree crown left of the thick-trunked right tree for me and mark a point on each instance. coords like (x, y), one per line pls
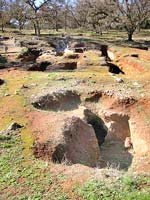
(95, 14)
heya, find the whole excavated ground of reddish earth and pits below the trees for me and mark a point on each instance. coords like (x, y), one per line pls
(73, 108)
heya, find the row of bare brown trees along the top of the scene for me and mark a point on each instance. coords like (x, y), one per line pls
(94, 15)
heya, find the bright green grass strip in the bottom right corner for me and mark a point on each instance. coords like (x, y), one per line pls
(125, 188)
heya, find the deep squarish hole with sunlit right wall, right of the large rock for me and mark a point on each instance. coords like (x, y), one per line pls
(117, 150)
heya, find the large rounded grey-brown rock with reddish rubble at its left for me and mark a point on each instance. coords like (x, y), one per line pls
(75, 144)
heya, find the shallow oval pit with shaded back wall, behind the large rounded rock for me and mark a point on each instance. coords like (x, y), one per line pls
(58, 101)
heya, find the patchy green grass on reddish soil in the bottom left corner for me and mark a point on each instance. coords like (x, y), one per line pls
(22, 178)
